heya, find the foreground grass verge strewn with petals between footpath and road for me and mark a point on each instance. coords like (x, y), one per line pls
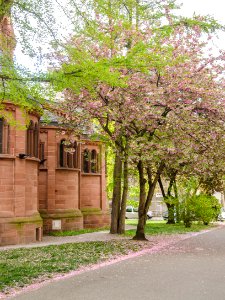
(19, 267)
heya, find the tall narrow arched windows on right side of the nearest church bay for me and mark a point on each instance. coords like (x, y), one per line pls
(32, 139)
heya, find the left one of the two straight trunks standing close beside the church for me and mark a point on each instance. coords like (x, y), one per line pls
(116, 194)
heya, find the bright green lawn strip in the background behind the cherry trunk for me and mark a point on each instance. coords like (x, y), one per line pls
(160, 227)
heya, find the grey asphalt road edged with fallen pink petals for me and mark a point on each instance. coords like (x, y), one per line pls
(193, 269)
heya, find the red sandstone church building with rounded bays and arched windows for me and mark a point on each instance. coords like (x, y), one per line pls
(43, 187)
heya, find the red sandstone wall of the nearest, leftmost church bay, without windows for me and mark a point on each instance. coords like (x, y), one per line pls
(19, 218)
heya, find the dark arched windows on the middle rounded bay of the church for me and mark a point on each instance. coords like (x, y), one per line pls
(67, 154)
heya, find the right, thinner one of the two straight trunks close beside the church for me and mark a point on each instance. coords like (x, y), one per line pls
(121, 228)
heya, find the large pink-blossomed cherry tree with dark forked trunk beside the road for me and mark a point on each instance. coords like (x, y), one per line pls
(143, 78)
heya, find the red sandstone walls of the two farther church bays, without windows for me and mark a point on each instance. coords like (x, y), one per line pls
(64, 191)
